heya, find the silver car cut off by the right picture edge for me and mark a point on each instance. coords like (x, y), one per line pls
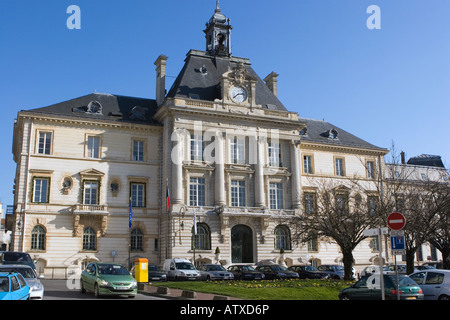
(435, 283)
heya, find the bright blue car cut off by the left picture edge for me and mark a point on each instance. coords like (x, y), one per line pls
(13, 287)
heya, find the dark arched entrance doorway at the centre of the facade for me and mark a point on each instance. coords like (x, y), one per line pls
(241, 244)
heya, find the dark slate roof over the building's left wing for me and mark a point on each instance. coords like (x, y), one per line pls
(113, 108)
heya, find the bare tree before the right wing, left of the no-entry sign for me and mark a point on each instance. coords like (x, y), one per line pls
(338, 210)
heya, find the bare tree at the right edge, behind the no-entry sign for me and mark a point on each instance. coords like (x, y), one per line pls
(417, 193)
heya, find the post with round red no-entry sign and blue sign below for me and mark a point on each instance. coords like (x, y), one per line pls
(396, 222)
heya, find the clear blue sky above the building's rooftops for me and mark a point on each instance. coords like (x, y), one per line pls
(387, 85)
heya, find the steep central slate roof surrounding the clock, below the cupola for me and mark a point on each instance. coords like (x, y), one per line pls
(200, 78)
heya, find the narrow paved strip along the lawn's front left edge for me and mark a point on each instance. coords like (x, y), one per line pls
(177, 294)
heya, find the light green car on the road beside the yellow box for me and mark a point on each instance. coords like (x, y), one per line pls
(103, 278)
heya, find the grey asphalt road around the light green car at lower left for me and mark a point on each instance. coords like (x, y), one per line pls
(61, 290)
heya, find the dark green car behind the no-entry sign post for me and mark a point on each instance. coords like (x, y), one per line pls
(369, 288)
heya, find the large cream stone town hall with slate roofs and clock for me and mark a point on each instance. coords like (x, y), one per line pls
(211, 170)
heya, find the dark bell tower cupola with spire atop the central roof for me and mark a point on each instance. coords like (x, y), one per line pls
(218, 34)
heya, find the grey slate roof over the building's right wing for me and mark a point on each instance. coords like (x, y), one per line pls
(322, 132)
